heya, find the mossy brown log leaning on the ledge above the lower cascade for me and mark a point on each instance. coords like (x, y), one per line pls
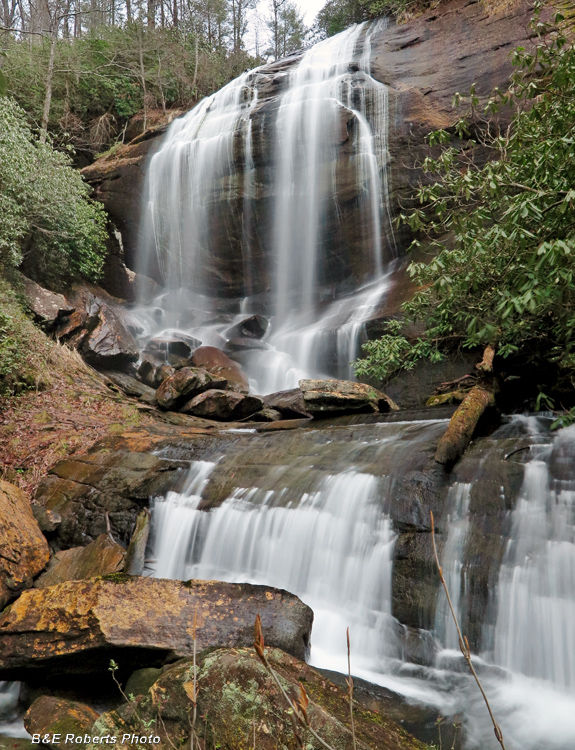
(462, 424)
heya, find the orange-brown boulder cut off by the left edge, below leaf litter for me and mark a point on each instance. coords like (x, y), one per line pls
(24, 551)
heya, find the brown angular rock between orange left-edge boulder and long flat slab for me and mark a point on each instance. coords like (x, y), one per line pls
(101, 557)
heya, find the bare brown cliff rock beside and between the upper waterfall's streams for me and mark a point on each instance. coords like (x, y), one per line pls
(423, 63)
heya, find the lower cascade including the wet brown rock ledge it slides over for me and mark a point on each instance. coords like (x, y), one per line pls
(334, 537)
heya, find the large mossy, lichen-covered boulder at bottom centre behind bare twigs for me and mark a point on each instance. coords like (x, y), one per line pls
(242, 707)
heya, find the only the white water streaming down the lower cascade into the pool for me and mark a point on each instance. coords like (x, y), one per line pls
(328, 538)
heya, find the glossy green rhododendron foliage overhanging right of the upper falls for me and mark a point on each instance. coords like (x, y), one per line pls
(505, 274)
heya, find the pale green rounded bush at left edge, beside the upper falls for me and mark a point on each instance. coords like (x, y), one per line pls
(47, 217)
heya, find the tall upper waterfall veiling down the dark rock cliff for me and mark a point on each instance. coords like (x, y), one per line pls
(272, 197)
